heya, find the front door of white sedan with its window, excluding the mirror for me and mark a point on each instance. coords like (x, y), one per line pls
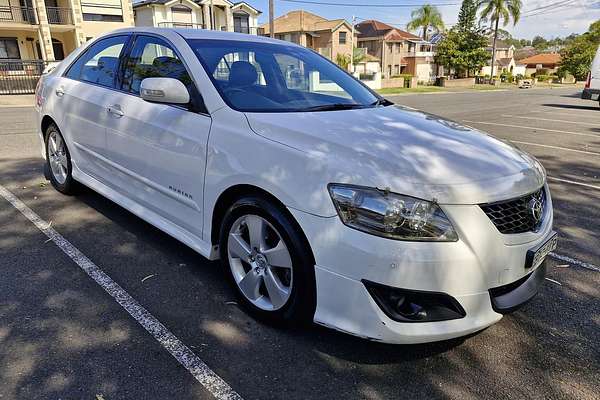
(158, 150)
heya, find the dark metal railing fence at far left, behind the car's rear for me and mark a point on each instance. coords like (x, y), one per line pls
(20, 77)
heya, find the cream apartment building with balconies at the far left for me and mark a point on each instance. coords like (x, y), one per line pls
(49, 30)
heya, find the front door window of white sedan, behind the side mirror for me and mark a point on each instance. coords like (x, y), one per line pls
(152, 57)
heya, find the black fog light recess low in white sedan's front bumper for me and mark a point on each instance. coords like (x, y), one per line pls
(404, 305)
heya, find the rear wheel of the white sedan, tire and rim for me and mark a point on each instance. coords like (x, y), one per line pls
(58, 161)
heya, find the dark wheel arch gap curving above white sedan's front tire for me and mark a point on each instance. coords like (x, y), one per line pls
(236, 192)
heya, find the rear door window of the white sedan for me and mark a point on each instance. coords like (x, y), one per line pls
(100, 63)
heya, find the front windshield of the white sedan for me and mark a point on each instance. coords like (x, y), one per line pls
(267, 77)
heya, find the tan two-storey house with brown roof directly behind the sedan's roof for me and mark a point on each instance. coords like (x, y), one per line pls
(328, 37)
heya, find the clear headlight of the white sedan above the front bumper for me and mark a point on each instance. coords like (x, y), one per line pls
(391, 215)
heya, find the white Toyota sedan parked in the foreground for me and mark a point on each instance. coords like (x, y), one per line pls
(323, 201)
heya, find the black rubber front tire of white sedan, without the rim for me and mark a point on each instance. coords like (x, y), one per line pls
(300, 307)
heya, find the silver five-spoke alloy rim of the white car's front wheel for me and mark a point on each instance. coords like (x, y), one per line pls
(260, 262)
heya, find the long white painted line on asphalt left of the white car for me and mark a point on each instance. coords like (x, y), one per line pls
(186, 357)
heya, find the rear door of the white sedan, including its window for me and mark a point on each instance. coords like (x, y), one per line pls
(81, 99)
